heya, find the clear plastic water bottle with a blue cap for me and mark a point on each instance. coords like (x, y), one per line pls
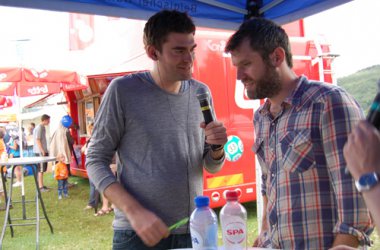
(204, 225)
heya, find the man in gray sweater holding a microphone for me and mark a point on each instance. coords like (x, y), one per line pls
(154, 123)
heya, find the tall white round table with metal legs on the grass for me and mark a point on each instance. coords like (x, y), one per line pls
(30, 161)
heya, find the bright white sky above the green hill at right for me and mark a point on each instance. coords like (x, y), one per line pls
(353, 30)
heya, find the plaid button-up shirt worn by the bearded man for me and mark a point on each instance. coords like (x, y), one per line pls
(310, 198)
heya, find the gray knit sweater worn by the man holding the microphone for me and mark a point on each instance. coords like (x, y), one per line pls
(159, 144)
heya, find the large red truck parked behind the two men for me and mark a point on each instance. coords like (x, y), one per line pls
(213, 67)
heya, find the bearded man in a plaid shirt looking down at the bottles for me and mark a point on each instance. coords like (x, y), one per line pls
(309, 203)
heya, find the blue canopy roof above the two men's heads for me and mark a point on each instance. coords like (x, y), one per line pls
(225, 14)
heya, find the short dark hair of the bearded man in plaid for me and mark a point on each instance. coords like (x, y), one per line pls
(264, 37)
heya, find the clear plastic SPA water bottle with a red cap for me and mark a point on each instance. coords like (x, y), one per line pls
(233, 219)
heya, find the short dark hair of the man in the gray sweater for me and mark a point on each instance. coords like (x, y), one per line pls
(164, 22)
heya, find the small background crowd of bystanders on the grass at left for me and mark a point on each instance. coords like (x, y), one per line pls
(36, 142)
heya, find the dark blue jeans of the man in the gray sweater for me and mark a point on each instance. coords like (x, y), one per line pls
(128, 240)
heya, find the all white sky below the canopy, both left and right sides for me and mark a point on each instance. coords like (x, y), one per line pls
(351, 29)
